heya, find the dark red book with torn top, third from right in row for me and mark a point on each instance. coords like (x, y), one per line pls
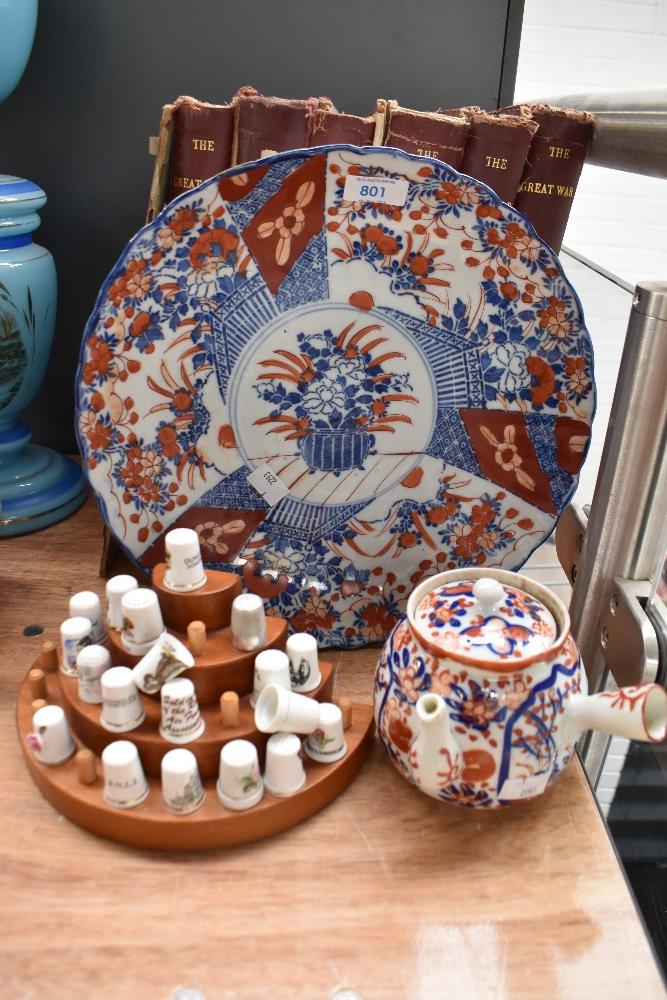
(429, 134)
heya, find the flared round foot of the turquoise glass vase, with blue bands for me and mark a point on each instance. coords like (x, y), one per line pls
(38, 486)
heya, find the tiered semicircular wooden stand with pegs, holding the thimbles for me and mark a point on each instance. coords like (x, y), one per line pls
(75, 787)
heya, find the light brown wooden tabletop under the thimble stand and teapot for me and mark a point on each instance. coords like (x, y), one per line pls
(386, 891)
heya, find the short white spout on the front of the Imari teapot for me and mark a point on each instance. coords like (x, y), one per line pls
(437, 757)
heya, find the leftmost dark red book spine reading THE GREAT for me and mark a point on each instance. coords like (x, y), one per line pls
(201, 144)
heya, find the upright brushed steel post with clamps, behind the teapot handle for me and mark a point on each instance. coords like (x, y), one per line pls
(617, 547)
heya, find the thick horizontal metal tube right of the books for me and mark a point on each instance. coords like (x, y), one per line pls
(630, 130)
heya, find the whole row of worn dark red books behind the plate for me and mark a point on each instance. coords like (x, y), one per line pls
(531, 156)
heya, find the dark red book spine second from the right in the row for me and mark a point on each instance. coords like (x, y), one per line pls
(496, 151)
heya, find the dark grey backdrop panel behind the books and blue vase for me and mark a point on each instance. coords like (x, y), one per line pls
(100, 71)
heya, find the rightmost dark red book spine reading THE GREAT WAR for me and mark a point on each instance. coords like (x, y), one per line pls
(553, 167)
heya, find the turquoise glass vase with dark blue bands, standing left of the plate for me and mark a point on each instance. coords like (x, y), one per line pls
(37, 485)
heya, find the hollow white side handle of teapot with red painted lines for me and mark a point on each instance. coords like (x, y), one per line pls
(637, 713)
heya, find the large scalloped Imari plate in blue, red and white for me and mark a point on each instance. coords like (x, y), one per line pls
(347, 369)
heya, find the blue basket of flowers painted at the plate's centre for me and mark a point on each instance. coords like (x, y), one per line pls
(334, 396)
